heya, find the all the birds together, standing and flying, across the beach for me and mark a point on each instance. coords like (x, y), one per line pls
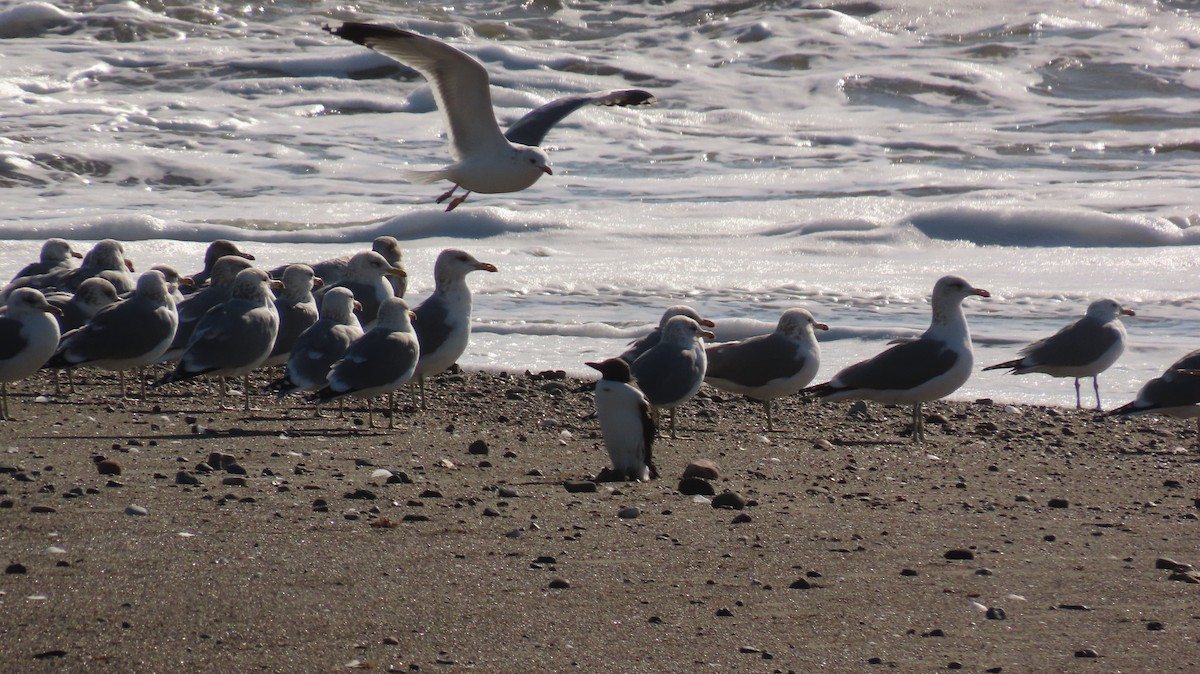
(341, 328)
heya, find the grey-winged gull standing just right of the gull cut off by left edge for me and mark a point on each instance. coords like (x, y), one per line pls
(130, 334)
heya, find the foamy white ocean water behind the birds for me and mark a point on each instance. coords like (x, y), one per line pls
(837, 157)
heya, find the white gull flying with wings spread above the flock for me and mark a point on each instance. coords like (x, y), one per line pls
(485, 160)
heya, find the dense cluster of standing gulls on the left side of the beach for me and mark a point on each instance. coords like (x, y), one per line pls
(349, 334)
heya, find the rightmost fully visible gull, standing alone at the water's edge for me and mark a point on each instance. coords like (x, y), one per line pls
(1085, 348)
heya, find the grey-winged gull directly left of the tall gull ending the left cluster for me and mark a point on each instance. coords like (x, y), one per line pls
(379, 363)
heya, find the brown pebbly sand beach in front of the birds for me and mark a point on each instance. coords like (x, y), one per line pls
(472, 562)
